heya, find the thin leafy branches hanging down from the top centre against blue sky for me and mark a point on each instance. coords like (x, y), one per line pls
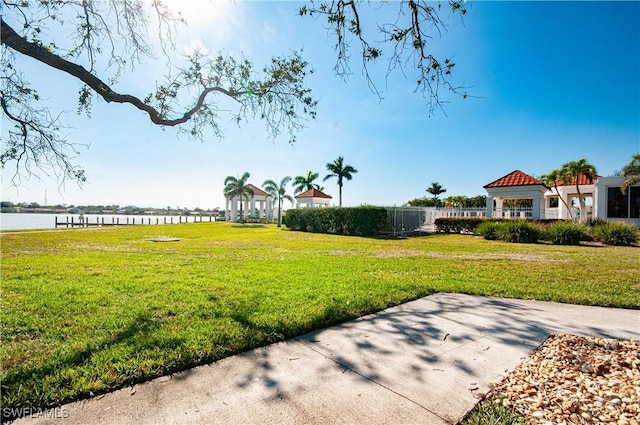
(404, 42)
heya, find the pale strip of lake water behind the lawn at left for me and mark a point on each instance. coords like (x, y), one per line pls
(13, 221)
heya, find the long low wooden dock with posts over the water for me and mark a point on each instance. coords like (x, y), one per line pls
(71, 221)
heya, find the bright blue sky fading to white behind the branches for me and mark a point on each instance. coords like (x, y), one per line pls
(551, 82)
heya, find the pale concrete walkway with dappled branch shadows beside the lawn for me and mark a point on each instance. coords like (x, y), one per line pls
(424, 362)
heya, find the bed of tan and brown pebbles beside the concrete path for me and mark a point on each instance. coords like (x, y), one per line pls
(571, 379)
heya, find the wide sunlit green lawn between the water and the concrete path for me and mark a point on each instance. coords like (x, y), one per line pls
(89, 310)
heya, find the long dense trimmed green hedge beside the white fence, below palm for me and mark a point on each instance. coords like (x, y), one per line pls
(359, 221)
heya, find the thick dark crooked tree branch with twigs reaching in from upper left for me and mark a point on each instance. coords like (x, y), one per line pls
(115, 33)
